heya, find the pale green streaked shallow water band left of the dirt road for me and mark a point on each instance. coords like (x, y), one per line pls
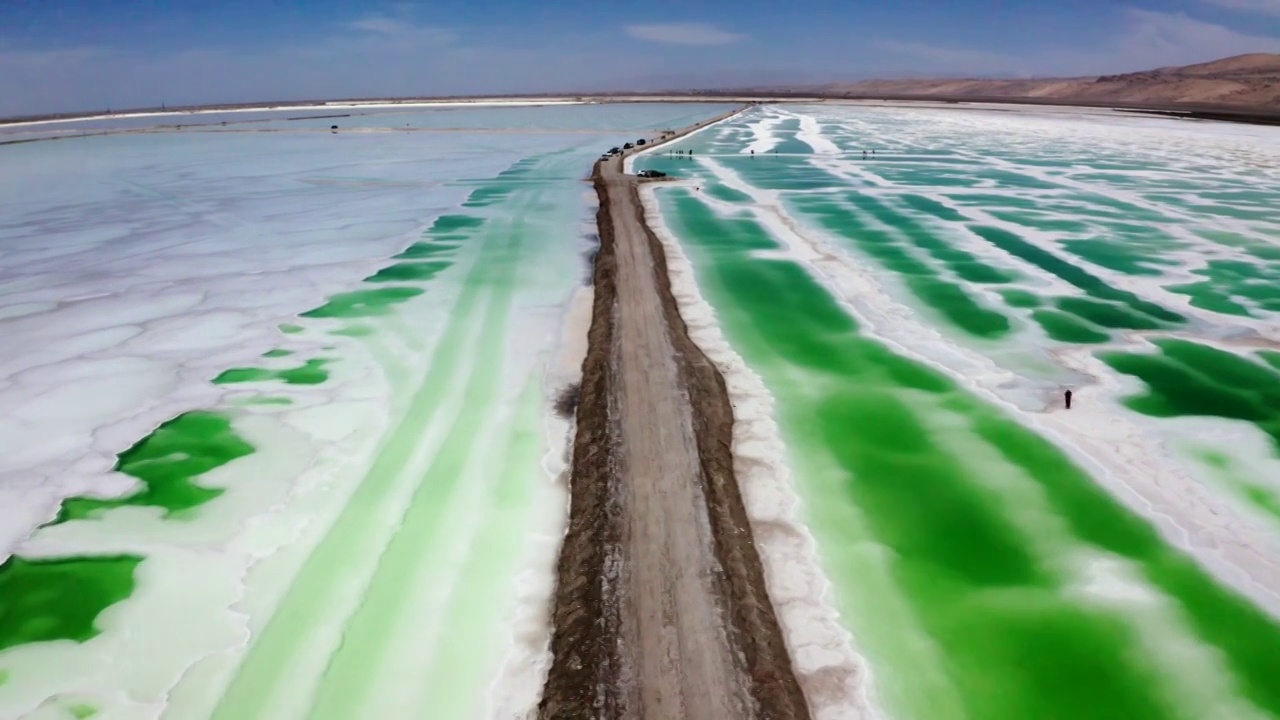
(429, 587)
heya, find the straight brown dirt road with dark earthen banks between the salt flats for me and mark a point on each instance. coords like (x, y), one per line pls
(661, 610)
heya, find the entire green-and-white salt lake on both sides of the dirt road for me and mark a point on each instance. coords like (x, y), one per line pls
(277, 441)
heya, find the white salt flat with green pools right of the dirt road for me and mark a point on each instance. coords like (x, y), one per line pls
(909, 320)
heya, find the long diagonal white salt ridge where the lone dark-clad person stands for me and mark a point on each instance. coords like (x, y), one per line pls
(1117, 446)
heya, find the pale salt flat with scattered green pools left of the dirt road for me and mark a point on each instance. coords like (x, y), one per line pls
(277, 413)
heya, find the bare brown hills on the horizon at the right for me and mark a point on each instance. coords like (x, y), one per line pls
(1249, 81)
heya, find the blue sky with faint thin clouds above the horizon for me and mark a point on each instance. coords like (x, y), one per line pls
(60, 56)
